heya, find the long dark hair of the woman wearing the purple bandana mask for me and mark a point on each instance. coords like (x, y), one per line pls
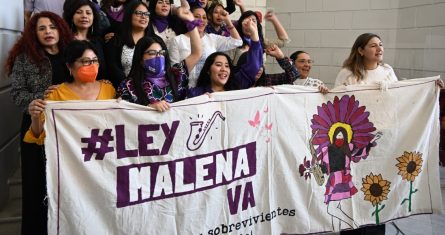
(137, 72)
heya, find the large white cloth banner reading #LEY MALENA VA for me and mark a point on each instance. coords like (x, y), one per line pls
(260, 161)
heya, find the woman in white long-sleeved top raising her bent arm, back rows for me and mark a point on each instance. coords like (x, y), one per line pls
(180, 45)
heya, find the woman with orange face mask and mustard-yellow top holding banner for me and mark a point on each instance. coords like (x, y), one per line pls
(83, 64)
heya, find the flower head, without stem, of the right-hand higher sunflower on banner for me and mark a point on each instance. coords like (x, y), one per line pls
(410, 165)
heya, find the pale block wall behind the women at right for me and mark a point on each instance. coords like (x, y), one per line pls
(413, 33)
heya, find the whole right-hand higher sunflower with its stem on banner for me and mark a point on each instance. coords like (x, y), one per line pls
(410, 166)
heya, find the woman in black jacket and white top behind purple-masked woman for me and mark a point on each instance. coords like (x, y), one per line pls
(119, 50)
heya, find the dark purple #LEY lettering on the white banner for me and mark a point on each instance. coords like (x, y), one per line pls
(99, 144)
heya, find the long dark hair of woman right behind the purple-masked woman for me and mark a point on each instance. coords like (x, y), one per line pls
(126, 33)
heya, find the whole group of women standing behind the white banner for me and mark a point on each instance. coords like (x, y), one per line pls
(152, 55)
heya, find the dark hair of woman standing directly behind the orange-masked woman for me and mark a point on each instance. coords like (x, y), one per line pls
(69, 9)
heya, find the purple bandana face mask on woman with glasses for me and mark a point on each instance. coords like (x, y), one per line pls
(155, 71)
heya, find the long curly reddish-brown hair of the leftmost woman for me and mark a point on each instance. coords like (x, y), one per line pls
(29, 44)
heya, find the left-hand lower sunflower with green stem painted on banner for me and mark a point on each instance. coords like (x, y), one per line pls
(376, 190)
